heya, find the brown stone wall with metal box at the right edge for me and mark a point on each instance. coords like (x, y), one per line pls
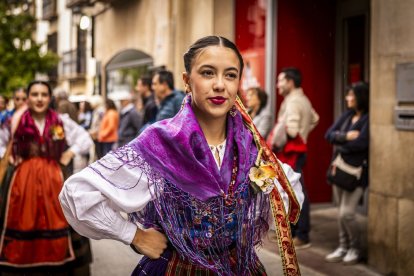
(391, 198)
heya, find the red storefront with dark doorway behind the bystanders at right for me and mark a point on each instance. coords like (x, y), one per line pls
(306, 36)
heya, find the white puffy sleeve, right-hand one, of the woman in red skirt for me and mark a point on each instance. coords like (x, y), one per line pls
(77, 137)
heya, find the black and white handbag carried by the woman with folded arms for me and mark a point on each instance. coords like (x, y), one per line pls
(343, 175)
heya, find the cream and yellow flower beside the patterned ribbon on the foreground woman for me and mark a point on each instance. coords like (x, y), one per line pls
(261, 177)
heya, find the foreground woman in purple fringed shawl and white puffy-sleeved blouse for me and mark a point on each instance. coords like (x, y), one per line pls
(185, 180)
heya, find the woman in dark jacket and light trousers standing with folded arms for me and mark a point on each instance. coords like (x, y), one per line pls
(350, 137)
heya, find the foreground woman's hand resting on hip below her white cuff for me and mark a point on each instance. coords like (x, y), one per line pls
(150, 242)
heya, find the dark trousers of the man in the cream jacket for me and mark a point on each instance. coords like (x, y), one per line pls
(302, 228)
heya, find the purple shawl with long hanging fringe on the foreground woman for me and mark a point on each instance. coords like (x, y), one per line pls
(189, 206)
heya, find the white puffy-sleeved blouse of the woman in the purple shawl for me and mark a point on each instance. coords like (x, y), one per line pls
(92, 206)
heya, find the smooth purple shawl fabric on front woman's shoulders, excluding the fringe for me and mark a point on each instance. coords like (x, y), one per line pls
(178, 150)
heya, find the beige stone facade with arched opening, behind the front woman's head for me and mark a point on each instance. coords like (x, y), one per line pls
(158, 31)
